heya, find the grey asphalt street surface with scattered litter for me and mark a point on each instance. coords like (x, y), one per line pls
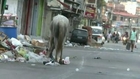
(109, 62)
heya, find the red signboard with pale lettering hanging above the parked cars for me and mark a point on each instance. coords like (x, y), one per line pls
(89, 12)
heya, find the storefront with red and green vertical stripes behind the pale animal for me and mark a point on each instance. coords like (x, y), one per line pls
(35, 15)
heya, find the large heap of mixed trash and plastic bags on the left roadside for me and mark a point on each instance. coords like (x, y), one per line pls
(22, 49)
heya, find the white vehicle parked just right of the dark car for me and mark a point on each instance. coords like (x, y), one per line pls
(97, 34)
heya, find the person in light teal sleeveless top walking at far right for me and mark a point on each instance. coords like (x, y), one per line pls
(133, 38)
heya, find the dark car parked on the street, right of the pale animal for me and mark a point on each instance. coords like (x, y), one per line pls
(79, 36)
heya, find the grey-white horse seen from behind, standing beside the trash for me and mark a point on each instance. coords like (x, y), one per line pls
(59, 27)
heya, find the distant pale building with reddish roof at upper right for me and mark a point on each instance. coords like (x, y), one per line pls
(122, 18)
